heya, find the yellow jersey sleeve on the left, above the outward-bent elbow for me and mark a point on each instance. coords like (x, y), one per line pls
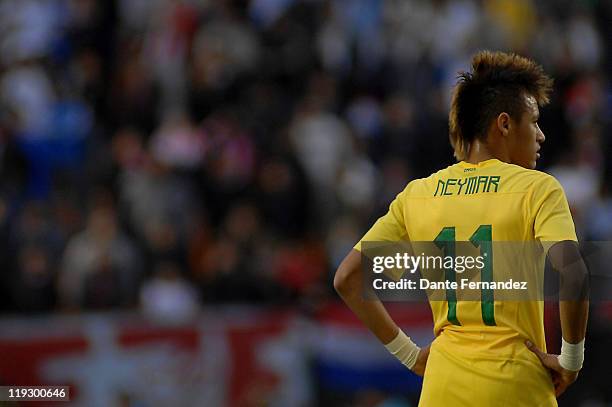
(391, 227)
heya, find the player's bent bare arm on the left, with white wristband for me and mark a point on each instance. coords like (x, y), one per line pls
(348, 282)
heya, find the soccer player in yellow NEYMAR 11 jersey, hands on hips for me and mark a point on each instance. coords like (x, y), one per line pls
(490, 354)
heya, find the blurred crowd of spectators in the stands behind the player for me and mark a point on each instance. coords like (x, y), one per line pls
(176, 153)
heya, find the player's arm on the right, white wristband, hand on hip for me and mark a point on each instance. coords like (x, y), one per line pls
(566, 259)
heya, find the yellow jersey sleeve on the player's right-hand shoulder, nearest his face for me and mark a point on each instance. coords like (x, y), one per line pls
(553, 221)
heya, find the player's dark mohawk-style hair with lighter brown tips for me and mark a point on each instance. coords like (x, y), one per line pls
(496, 84)
